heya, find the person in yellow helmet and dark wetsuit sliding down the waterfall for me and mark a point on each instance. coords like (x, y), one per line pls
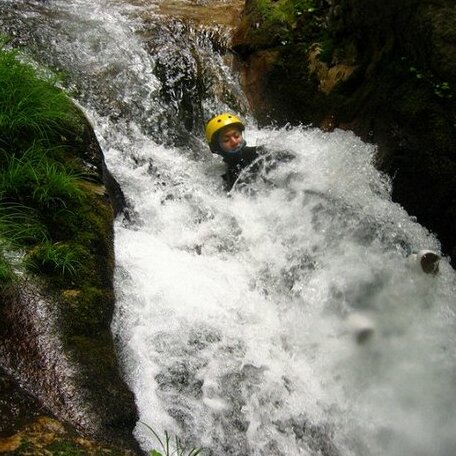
(224, 134)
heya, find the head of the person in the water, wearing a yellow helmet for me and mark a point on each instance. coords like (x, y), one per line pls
(224, 133)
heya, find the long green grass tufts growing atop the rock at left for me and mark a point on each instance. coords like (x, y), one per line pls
(40, 186)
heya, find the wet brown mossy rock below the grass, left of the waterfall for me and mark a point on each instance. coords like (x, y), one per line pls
(55, 332)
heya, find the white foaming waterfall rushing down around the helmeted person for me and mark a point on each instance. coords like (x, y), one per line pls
(232, 309)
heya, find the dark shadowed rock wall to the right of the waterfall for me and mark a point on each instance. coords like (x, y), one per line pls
(385, 70)
